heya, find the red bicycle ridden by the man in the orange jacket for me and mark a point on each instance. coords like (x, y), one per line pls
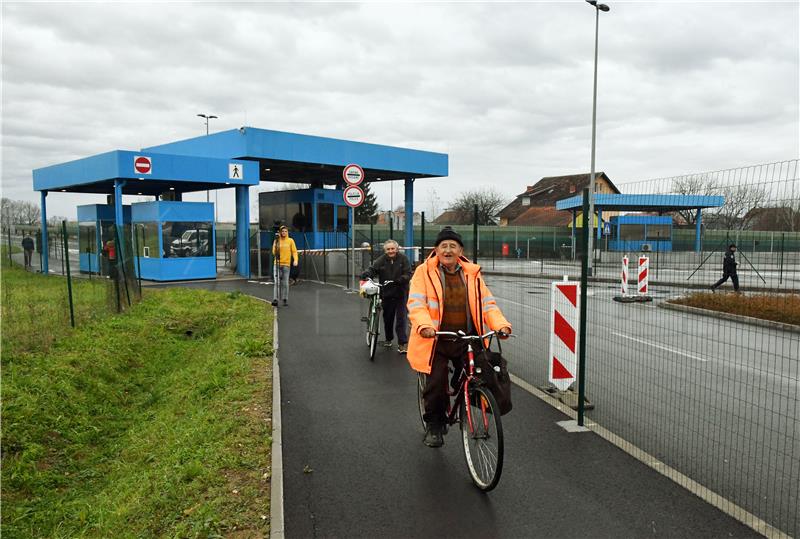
(474, 407)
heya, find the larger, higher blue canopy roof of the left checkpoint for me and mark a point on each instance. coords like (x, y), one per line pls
(291, 157)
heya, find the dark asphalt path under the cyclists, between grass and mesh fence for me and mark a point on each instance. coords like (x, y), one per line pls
(355, 466)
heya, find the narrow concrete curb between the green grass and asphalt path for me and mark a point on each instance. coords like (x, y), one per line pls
(276, 530)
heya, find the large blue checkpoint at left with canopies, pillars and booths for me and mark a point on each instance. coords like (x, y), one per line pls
(174, 240)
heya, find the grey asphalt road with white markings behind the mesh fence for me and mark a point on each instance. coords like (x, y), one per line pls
(715, 399)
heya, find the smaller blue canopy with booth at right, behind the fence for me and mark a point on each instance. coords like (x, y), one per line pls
(631, 232)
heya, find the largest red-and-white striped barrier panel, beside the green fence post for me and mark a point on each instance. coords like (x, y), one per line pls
(564, 322)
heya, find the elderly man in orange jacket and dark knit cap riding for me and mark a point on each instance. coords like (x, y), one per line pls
(447, 294)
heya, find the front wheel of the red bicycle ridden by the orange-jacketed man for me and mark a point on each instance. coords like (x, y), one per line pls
(482, 436)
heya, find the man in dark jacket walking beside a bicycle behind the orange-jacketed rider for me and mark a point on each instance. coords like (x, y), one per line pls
(393, 266)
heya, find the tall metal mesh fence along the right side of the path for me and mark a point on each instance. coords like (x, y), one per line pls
(715, 399)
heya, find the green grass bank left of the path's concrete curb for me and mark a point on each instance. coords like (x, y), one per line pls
(153, 423)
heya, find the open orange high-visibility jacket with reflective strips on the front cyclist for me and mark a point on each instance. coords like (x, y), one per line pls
(426, 301)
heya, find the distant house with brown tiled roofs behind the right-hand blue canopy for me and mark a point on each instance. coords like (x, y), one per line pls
(537, 205)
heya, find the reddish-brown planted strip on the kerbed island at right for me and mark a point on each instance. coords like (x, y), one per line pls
(778, 307)
